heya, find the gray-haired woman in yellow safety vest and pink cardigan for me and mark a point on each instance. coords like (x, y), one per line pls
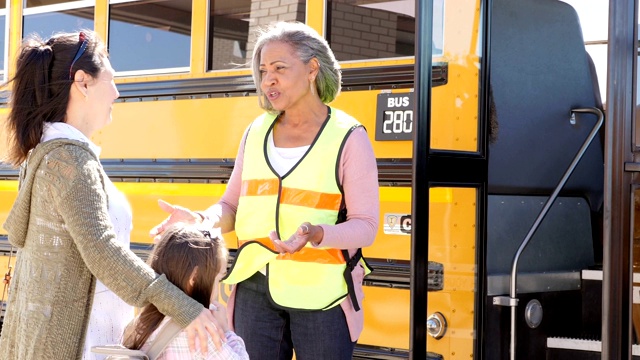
(300, 166)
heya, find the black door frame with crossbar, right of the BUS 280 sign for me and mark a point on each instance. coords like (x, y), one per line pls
(433, 168)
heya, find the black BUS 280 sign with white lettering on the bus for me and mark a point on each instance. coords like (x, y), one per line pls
(394, 116)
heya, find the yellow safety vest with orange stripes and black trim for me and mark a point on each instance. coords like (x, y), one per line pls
(313, 278)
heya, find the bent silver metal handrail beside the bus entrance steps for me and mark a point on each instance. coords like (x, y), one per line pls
(512, 300)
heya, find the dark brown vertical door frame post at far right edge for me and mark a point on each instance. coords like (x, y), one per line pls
(619, 157)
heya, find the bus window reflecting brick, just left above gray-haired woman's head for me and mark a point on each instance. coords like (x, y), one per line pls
(232, 25)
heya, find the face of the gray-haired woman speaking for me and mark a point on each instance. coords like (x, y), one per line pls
(286, 80)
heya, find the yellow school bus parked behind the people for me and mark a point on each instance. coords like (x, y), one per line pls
(506, 198)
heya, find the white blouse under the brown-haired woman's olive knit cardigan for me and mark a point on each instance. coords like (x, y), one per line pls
(109, 314)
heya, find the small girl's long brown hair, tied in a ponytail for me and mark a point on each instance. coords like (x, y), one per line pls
(181, 249)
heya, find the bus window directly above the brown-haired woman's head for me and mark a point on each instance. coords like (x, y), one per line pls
(57, 16)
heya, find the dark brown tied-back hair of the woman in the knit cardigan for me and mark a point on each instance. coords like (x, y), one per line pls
(42, 84)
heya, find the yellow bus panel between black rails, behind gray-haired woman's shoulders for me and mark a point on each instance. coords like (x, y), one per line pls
(211, 128)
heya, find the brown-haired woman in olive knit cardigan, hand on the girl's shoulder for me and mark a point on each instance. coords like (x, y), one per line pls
(69, 222)
